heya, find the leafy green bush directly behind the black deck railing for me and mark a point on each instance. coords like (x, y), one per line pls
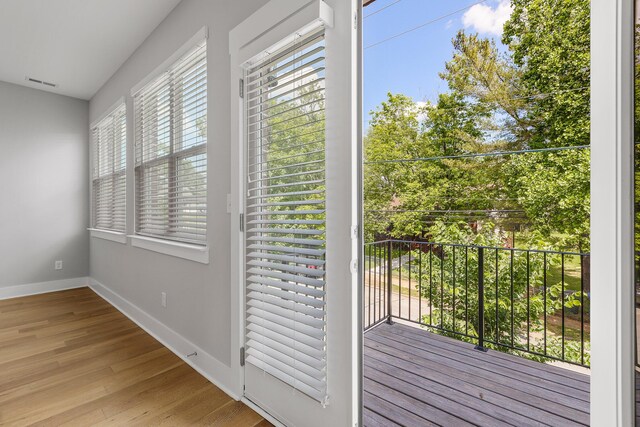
(519, 291)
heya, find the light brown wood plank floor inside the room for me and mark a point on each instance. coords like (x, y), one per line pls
(70, 358)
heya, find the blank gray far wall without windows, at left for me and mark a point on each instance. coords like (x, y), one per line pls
(44, 186)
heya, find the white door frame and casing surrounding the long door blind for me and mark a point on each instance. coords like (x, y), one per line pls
(268, 27)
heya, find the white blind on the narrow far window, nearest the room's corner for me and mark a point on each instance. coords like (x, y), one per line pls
(109, 176)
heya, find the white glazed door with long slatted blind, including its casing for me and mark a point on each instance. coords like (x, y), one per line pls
(295, 120)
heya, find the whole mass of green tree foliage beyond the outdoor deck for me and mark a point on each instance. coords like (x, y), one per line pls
(419, 184)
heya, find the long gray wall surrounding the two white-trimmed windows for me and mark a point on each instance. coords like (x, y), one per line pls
(198, 295)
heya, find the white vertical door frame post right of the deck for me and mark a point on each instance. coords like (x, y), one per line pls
(612, 333)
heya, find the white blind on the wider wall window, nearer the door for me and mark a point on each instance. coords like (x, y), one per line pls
(171, 152)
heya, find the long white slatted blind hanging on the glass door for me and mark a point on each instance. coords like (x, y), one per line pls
(285, 214)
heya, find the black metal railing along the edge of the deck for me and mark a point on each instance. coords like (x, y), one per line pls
(534, 303)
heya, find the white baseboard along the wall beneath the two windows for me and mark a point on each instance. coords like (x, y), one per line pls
(208, 366)
